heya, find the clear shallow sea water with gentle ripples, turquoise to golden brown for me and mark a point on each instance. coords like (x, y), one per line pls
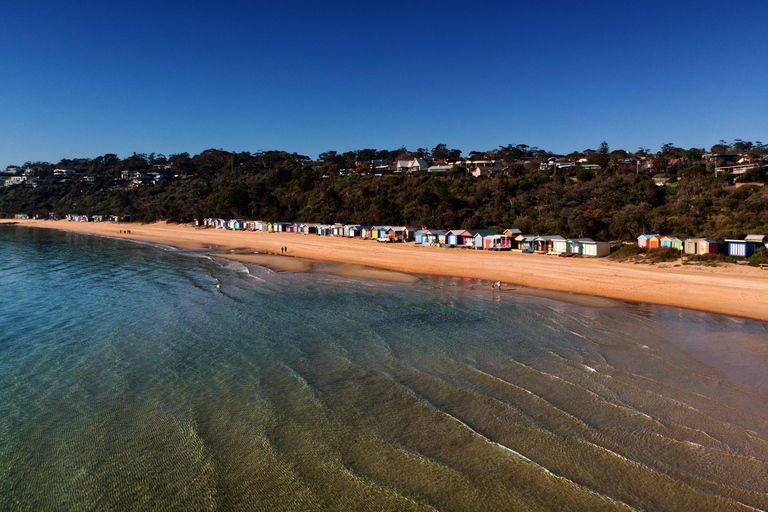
(137, 377)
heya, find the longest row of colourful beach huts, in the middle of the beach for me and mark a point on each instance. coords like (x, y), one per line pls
(482, 239)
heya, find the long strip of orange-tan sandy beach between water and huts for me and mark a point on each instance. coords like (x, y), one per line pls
(736, 290)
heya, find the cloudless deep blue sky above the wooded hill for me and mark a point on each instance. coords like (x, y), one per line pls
(84, 78)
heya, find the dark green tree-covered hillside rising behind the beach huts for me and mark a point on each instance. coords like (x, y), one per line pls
(276, 186)
